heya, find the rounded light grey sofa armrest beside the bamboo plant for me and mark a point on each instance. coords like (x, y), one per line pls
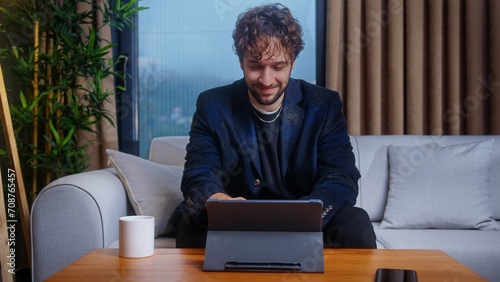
(74, 215)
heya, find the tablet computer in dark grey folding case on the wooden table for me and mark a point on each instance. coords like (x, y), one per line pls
(264, 235)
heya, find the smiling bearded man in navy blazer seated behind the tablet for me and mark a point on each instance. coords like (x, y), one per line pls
(268, 136)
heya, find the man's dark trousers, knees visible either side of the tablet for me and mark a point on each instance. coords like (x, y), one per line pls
(349, 228)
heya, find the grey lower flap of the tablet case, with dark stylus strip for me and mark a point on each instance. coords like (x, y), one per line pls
(263, 251)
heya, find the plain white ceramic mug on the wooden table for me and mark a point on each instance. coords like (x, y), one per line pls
(136, 236)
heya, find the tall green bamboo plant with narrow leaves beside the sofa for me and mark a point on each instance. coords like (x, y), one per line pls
(59, 60)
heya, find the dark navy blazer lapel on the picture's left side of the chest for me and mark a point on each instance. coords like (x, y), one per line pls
(242, 117)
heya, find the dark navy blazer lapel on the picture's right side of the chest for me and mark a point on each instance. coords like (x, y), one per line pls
(293, 117)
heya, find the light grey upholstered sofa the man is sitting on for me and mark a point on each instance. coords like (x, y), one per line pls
(78, 213)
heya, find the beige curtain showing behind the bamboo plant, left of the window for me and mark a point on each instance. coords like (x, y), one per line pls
(107, 135)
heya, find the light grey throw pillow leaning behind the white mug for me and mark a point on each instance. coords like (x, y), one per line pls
(153, 189)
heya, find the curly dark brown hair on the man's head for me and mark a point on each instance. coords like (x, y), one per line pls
(257, 28)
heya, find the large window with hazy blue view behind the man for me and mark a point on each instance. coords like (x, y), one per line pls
(185, 48)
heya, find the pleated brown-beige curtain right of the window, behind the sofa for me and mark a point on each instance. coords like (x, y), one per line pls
(416, 66)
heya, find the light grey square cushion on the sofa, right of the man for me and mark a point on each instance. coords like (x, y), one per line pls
(440, 187)
